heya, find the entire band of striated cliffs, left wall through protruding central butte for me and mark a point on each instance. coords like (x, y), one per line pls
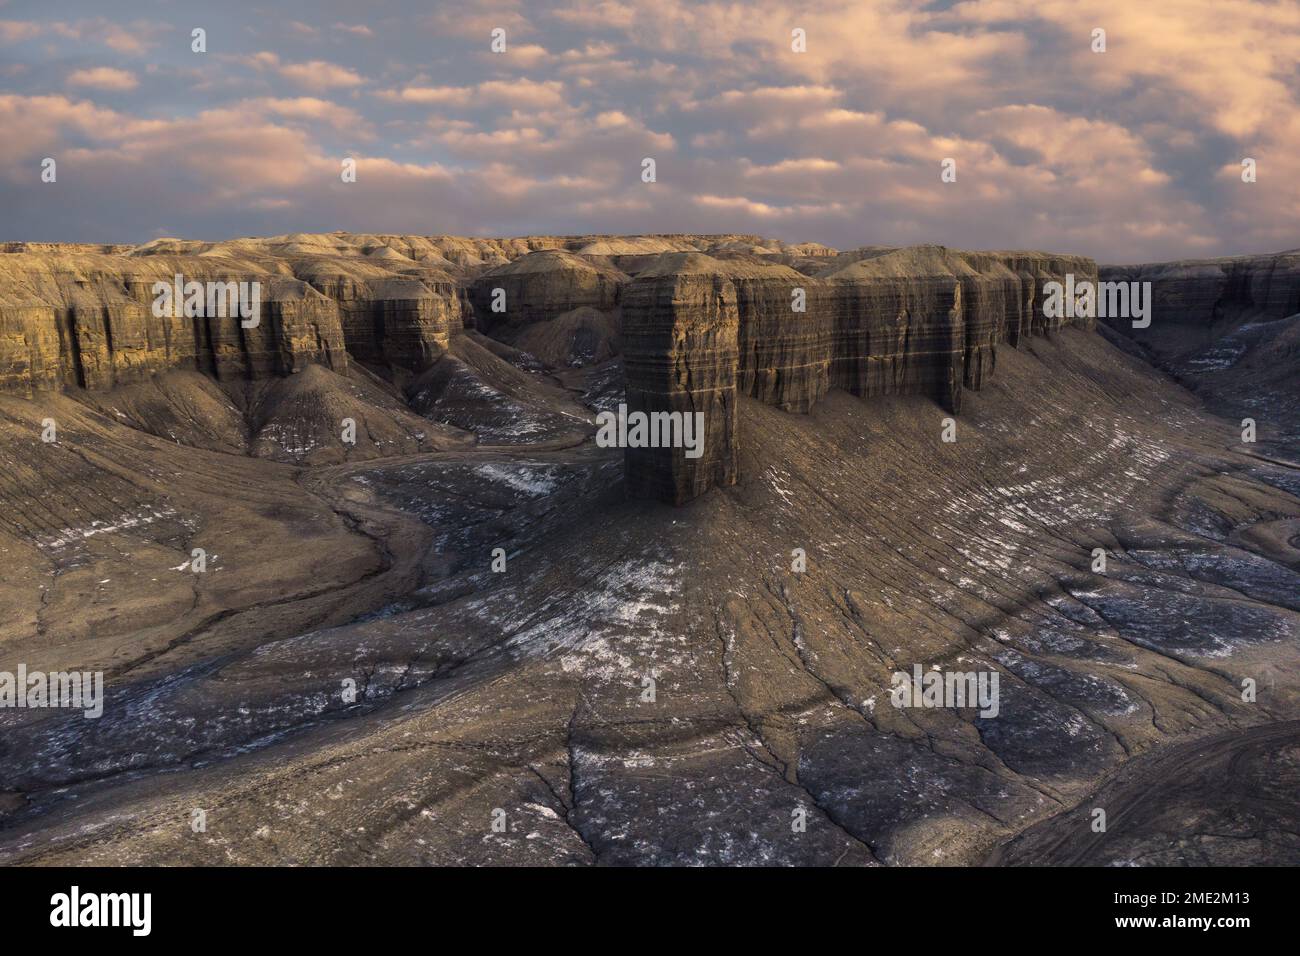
(700, 321)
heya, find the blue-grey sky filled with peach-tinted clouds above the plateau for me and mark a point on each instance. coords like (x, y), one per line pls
(1128, 155)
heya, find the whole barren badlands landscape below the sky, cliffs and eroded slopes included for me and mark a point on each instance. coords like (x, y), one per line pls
(475, 635)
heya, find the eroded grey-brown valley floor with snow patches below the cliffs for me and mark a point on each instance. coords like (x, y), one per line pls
(647, 685)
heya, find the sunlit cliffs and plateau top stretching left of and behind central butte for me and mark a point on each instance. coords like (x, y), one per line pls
(80, 315)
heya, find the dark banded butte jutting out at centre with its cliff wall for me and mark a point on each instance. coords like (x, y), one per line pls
(924, 321)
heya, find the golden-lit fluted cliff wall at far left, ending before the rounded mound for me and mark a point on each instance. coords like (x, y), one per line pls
(76, 317)
